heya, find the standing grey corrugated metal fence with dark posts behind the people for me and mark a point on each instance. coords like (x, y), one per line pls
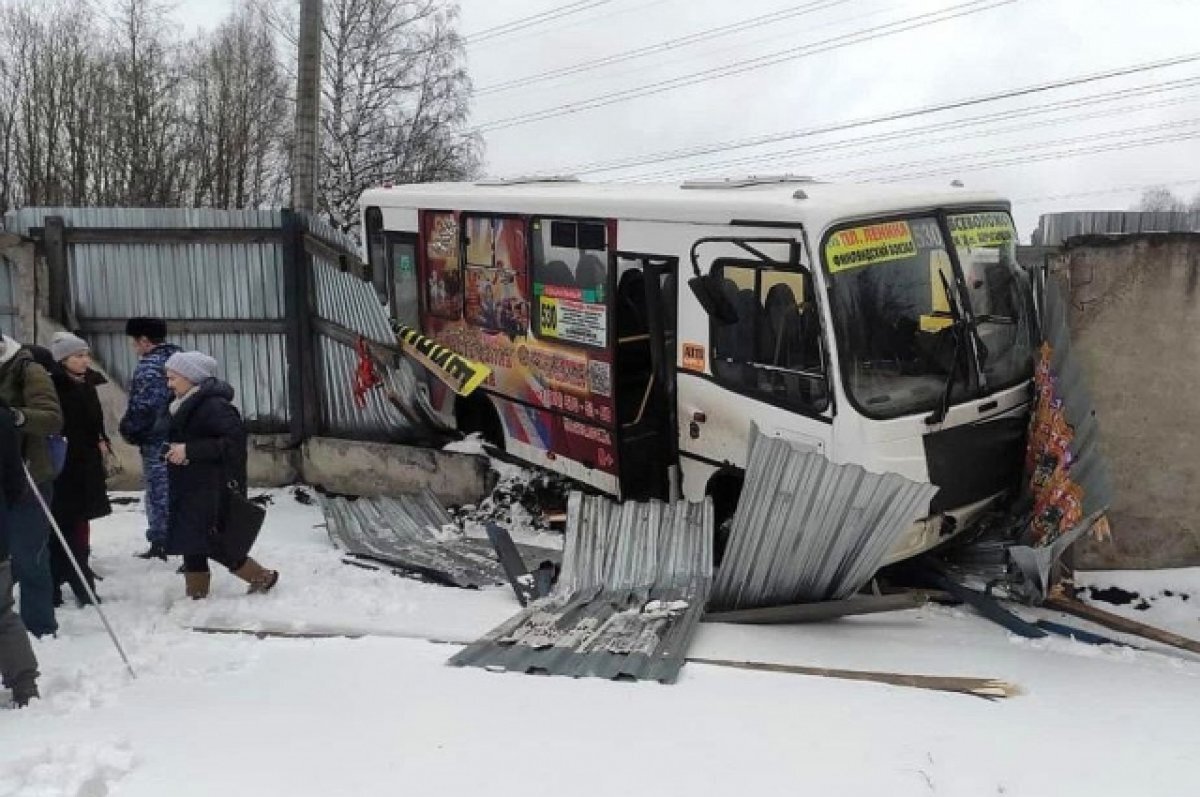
(278, 298)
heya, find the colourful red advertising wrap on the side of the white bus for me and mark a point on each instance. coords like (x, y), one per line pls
(567, 370)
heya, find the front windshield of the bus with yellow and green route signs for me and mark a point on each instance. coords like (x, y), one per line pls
(903, 339)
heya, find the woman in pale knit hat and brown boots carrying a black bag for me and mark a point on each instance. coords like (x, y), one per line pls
(206, 457)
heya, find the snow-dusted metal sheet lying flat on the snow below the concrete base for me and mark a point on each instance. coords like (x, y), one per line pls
(416, 534)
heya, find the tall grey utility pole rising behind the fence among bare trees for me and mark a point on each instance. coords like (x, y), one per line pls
(304, 158)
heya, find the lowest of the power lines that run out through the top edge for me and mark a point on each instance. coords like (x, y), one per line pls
(741, 68)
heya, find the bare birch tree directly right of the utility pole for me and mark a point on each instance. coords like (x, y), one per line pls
(395, 97)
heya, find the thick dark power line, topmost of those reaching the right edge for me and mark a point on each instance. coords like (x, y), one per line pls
(899, 116)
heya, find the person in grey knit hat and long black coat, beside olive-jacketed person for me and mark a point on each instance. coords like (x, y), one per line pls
(81, 490)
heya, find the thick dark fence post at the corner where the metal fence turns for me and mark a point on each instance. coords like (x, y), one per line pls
(304, 400)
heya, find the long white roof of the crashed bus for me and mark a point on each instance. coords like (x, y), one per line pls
(795, 201)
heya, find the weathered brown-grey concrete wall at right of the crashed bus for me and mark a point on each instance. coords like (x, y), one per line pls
(1136, 322)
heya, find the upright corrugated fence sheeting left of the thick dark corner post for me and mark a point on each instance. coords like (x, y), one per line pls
(183, 281)
